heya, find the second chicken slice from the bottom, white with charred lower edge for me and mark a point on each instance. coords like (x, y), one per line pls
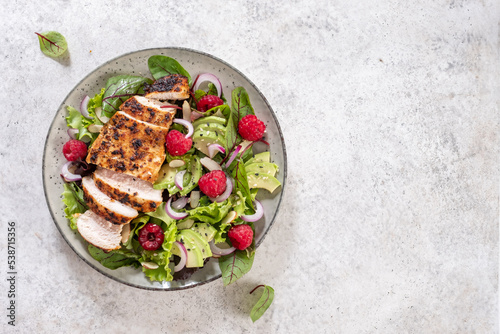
(104, 205)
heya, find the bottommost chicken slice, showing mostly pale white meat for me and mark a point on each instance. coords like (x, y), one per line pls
(98, 231)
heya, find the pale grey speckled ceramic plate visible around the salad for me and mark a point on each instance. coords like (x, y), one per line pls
(135, 63)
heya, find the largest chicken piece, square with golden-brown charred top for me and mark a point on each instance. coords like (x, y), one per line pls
(128, 145)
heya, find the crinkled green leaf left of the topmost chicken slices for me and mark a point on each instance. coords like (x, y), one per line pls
(118, 89)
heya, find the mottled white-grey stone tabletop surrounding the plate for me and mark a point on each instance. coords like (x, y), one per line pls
(389, 109)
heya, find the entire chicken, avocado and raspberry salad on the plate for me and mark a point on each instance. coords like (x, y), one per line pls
(161, 173)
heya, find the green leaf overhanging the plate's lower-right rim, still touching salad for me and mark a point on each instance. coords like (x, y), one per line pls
(235, 265)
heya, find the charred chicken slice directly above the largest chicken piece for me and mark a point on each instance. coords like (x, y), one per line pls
(148, 110)
